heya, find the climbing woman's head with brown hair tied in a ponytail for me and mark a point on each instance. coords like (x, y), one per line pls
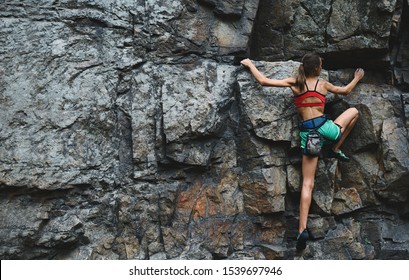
(310, 67)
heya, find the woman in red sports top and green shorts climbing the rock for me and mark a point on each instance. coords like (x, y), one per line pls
(309, 98)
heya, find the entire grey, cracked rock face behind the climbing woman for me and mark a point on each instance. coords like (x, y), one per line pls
(129, 131)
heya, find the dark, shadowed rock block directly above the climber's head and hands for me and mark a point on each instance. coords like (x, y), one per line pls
(356, 30)
